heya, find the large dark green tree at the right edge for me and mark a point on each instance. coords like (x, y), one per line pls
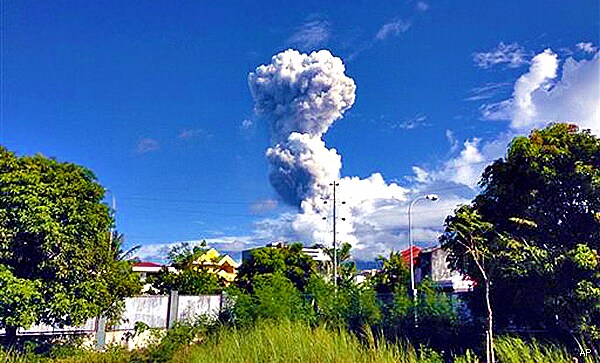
(543, 198)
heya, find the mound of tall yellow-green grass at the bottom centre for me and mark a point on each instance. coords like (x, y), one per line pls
(285, 341)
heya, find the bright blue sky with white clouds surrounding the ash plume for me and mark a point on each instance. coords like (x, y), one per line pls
(153, 96)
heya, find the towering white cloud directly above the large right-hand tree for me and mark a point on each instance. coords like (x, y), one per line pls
(540, 98)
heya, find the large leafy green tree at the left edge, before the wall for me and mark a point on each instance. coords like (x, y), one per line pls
(55, 254)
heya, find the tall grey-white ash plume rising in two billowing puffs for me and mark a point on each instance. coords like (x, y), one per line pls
(301, 95)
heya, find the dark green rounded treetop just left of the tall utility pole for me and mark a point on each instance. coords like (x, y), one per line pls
(289, 261)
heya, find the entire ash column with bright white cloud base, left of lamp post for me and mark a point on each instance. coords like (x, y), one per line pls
(301, 96)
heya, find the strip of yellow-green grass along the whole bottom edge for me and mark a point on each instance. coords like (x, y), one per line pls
(283, 341)
